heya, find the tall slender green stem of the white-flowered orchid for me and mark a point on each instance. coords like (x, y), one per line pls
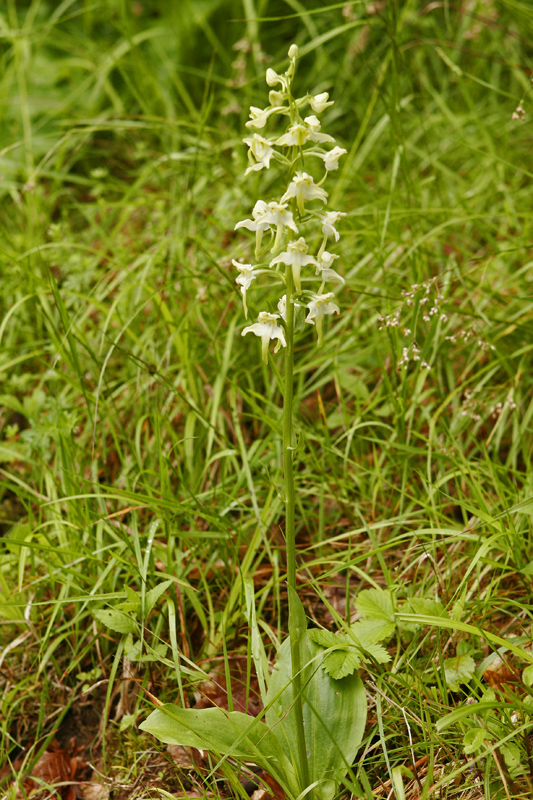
(294, 632)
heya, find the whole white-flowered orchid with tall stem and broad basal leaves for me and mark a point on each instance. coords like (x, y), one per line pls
(314, 702)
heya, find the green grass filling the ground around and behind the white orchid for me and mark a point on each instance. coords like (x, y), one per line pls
(141, 435)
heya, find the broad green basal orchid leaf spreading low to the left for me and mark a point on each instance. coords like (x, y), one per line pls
(227, 733)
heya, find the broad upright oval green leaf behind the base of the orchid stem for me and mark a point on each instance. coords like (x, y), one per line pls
(334, 714)
